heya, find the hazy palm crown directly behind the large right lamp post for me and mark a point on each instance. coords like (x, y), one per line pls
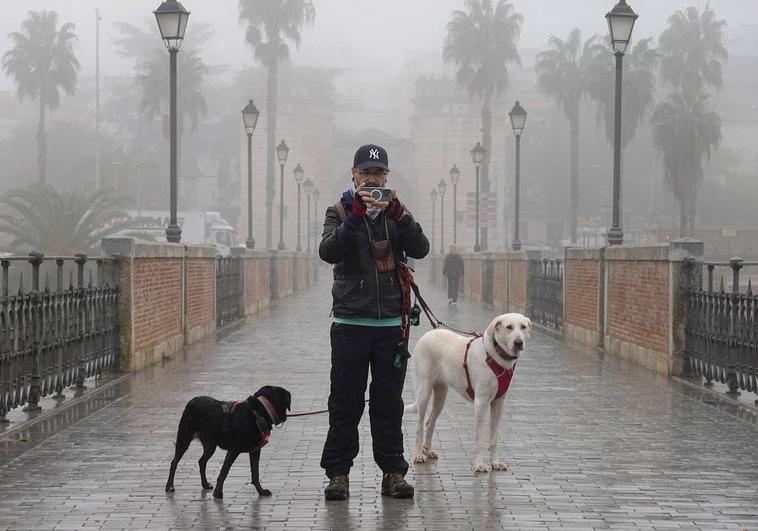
(639, 87)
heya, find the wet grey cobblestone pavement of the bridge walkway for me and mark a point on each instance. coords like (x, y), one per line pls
(591, 444)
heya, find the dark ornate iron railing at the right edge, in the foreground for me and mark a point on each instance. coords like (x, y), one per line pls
(721, 334)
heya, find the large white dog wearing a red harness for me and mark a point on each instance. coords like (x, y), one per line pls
(438, 362)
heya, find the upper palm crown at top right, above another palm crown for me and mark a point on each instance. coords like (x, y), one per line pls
(692, 50)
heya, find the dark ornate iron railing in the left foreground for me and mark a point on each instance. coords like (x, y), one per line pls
(52, 338)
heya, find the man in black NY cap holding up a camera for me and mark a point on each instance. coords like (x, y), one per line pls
(365, 238)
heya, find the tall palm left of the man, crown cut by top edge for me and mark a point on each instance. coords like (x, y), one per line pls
(270, 23)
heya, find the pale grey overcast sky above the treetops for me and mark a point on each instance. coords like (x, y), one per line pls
(350, 32)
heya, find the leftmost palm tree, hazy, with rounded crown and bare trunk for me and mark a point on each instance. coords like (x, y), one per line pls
(41, 60)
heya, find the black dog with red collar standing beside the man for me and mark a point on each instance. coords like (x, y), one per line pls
(236, 427)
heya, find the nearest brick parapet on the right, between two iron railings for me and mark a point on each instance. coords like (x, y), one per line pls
(632, 300)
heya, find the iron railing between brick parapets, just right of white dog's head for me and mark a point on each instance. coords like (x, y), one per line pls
(547, 292)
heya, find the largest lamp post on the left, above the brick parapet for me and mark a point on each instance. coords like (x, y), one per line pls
(172, 22)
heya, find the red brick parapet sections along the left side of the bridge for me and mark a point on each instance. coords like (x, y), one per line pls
(168, 293)
